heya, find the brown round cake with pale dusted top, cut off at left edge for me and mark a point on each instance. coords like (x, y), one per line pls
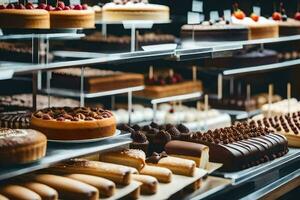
(19, 146)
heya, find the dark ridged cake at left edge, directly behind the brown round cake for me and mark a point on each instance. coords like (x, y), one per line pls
(19, 120)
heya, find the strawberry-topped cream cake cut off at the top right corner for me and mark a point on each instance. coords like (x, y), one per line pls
(287, 25)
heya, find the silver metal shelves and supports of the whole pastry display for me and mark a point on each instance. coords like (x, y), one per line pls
(57, 153)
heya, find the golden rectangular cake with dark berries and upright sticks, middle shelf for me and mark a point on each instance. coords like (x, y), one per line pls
(158, 86)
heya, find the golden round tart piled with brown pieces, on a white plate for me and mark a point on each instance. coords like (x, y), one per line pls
(80, 123)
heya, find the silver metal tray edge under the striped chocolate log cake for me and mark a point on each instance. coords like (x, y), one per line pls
(264, 168)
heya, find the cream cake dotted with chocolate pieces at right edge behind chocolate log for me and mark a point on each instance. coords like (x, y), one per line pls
(287, 125)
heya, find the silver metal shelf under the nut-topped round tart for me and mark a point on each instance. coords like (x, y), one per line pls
(59, 152)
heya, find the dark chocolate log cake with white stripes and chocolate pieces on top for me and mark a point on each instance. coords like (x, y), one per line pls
(242, 146)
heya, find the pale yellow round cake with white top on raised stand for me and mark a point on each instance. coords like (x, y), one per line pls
(120, 10)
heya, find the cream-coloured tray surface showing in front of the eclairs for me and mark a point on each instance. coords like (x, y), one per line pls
(166, 190)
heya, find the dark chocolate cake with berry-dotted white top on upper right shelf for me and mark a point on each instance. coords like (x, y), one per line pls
(220, 31)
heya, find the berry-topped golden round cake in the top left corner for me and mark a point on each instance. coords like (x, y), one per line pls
(19, 16)
